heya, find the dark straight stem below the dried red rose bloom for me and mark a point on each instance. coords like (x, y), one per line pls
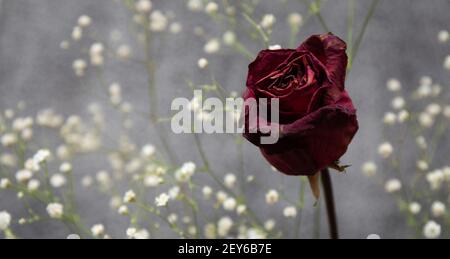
(329, 201)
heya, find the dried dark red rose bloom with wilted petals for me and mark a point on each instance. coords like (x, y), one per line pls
(317, 118)
